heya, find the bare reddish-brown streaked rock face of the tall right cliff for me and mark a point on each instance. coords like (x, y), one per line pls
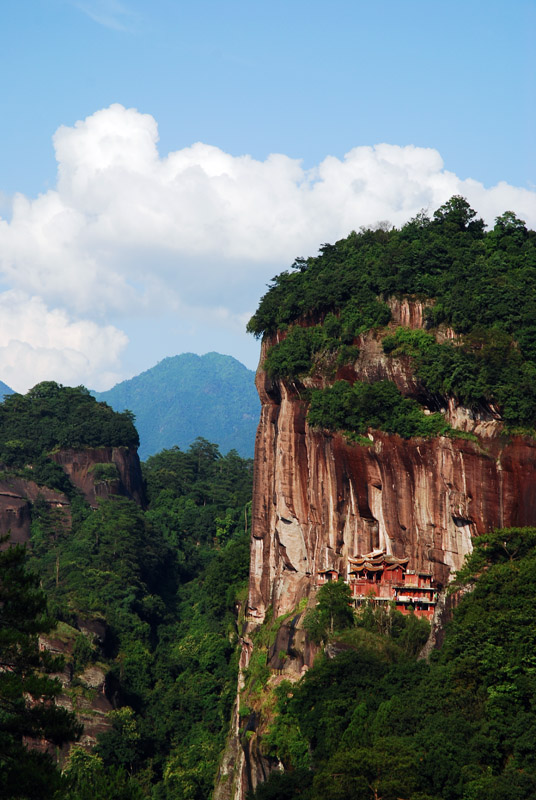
(319, 498)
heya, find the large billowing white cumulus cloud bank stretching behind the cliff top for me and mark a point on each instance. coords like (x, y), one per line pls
(128, 231)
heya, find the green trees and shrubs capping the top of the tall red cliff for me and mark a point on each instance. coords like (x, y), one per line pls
(481, 283)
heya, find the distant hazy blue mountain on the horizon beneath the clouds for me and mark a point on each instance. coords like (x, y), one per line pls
(187, 396)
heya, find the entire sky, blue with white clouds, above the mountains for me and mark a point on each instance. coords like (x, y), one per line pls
(91, 293)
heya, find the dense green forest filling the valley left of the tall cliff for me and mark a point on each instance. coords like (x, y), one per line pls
(161, 587)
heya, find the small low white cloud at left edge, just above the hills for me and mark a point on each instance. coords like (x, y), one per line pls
(39, 344)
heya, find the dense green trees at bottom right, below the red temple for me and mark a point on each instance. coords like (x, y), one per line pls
(374, 722)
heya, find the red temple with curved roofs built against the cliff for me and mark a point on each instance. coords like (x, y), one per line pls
(385, 579)
